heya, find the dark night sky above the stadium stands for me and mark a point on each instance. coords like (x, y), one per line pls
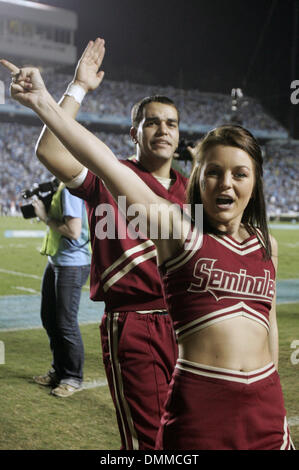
(212, 45)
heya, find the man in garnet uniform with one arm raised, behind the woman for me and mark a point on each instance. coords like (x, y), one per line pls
(138, 343)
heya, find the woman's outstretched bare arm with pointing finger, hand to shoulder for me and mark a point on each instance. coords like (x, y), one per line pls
(29, 89)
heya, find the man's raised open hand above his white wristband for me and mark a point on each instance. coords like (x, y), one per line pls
(87, 73)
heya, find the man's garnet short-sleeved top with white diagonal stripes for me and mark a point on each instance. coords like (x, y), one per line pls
(124, 272)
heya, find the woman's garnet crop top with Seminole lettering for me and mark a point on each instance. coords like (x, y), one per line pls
(218, 278)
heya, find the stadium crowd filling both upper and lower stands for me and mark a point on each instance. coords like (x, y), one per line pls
(21, 169)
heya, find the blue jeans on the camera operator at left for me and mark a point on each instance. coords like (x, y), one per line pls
(60, 299)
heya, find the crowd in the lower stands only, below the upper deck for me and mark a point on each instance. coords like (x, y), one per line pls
(21, 169)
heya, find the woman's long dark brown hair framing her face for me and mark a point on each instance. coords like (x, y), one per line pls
(254, 215)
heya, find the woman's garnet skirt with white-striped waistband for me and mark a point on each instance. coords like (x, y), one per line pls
(210, 408)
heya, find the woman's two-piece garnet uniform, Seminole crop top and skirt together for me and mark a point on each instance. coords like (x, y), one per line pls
(216, 408)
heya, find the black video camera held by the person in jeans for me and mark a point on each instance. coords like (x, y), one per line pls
(44, 192)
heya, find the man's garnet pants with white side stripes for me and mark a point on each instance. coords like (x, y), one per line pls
(139, 355)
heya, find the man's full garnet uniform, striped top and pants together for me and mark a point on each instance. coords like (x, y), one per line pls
(138, 342)
